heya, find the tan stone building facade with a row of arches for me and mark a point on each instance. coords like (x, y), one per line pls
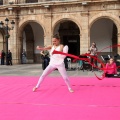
(78, 22)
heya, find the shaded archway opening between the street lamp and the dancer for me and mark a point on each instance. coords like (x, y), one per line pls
(33, 35)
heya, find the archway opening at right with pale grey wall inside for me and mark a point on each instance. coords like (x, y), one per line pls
(104, 33)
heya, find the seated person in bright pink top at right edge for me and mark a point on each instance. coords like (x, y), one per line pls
(111, 68)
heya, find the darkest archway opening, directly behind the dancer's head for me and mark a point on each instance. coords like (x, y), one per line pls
(69, 34)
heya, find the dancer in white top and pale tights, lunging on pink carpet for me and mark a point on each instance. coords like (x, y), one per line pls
(56, 62)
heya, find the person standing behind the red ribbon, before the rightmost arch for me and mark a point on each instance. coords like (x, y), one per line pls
(93, 52)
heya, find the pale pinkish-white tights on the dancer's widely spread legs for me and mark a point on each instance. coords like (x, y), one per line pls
(49, 69)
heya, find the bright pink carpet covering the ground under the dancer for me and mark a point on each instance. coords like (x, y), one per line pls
(92, 99)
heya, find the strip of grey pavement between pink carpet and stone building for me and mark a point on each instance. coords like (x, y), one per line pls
(36, 70)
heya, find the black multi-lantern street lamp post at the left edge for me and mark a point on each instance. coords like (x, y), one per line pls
(7, 28)
